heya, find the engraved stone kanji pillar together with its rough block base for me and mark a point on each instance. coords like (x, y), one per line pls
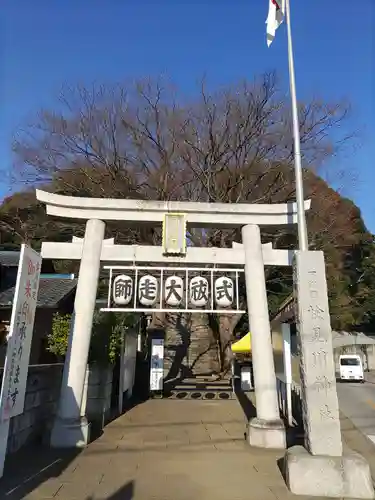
(321, 468)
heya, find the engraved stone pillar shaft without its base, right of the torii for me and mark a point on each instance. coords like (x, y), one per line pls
(317, 368)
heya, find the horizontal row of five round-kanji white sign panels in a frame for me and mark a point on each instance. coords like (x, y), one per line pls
(184, 289)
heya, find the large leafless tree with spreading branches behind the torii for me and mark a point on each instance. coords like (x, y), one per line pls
(145, 141)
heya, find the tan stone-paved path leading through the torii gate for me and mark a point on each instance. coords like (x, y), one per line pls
(159, 450)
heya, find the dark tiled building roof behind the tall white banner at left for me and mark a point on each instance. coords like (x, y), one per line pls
(51, 292)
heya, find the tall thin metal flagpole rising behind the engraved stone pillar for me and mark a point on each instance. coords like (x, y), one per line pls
(301, 219)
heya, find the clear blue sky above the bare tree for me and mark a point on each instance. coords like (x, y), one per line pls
(48, 43)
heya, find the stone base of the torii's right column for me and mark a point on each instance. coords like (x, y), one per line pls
(266, 433)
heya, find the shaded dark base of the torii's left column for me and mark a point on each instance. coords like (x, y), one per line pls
(70, 433)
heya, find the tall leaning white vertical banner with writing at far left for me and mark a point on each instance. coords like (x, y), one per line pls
(16, 367)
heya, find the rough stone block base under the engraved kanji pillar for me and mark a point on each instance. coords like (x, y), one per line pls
(347, 476)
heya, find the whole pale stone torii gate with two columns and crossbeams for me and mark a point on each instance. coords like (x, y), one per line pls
(70, 428)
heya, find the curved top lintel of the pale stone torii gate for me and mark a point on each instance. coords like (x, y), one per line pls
(147, 211)
